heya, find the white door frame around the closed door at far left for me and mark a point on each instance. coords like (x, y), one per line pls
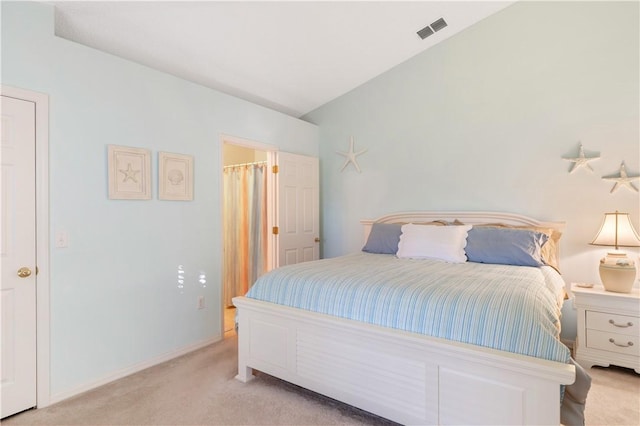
(43, 373)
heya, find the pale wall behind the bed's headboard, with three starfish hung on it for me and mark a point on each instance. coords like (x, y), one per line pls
(482, 121)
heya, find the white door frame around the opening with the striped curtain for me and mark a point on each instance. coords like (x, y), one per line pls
(271, 203)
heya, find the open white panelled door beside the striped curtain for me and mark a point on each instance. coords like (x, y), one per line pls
(297, 216)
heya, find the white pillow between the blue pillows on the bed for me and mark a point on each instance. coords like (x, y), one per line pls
(433, 242)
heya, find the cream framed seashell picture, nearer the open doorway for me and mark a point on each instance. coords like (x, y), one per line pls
(175, 176)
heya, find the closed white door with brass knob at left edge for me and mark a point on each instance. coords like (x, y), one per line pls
(18, 294)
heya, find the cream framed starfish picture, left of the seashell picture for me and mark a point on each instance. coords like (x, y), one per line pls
(129, 173)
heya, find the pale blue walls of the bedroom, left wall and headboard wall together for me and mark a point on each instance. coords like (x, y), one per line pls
(479, 122)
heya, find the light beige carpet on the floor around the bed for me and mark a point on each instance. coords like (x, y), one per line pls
(199, 388)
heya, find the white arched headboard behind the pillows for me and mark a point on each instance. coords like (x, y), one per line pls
(466, 217)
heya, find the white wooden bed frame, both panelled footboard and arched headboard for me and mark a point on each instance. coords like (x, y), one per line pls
(405, 377)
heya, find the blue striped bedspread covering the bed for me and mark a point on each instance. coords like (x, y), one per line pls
(510, 308)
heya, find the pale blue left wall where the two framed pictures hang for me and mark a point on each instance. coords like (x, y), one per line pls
(114, 296)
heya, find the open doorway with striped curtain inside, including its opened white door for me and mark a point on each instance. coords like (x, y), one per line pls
(291, 216)
